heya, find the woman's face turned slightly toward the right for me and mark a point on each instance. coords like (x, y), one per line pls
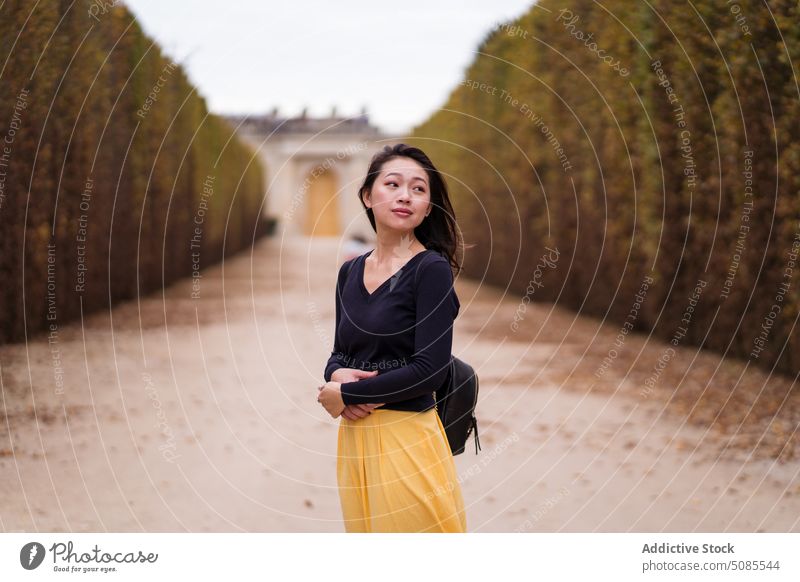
(402, 184)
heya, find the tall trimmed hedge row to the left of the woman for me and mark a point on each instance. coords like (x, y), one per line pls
(114, 178)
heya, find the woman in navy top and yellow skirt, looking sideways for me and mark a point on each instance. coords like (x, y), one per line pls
(395, 307)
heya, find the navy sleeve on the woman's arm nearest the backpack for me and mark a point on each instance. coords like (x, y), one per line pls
(436, 307)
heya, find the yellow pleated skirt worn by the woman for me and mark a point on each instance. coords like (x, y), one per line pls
(396, 474)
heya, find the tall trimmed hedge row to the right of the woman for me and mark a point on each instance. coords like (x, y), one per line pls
(644, 142)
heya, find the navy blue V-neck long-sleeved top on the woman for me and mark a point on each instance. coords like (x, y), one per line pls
(403, 329)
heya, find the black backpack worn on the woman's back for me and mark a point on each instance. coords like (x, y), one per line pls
(455, 402)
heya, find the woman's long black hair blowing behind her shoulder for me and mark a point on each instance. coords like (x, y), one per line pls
(438, 230)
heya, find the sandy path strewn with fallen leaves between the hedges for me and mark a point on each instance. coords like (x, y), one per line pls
(200, 415)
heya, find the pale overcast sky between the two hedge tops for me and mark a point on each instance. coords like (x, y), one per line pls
(399, 59)
